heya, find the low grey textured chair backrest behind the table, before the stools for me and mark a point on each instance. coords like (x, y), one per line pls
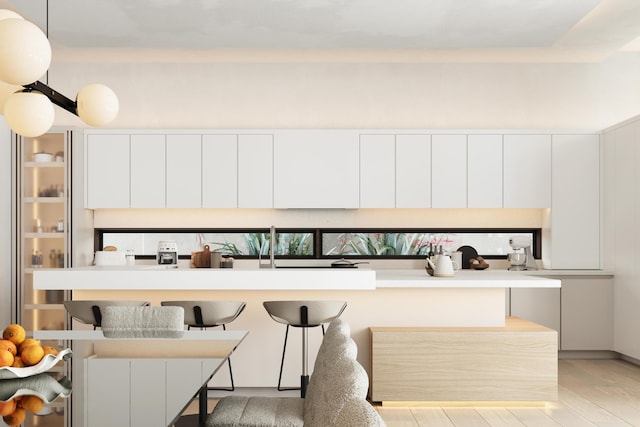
(143, 322)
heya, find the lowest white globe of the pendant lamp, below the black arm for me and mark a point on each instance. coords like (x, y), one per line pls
(29, 114)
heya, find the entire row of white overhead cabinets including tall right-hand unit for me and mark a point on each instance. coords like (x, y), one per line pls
(350, 169)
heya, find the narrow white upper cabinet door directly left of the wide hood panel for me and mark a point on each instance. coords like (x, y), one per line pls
(255, 171)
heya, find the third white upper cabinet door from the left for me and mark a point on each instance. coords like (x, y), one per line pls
(184, 171)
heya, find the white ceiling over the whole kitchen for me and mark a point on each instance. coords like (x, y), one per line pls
(380, 30)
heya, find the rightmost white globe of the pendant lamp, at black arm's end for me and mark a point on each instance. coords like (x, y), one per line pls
(97, 104)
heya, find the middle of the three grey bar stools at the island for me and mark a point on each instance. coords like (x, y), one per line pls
(209, 314)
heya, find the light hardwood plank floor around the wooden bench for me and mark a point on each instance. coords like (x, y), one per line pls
(592, 392)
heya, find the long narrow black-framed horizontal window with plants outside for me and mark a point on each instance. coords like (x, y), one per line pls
(320, 243)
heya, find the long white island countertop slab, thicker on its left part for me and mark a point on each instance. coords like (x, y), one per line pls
(159, 278)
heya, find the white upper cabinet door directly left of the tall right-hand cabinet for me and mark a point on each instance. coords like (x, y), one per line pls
(527, 171)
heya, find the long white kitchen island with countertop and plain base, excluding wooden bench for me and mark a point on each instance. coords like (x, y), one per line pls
(383, 298)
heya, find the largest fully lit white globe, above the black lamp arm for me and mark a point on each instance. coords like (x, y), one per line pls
(25, 52)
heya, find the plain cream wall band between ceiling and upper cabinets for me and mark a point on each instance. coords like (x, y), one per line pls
(348, 95)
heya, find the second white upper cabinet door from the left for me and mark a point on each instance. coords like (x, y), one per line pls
(148, 171)
